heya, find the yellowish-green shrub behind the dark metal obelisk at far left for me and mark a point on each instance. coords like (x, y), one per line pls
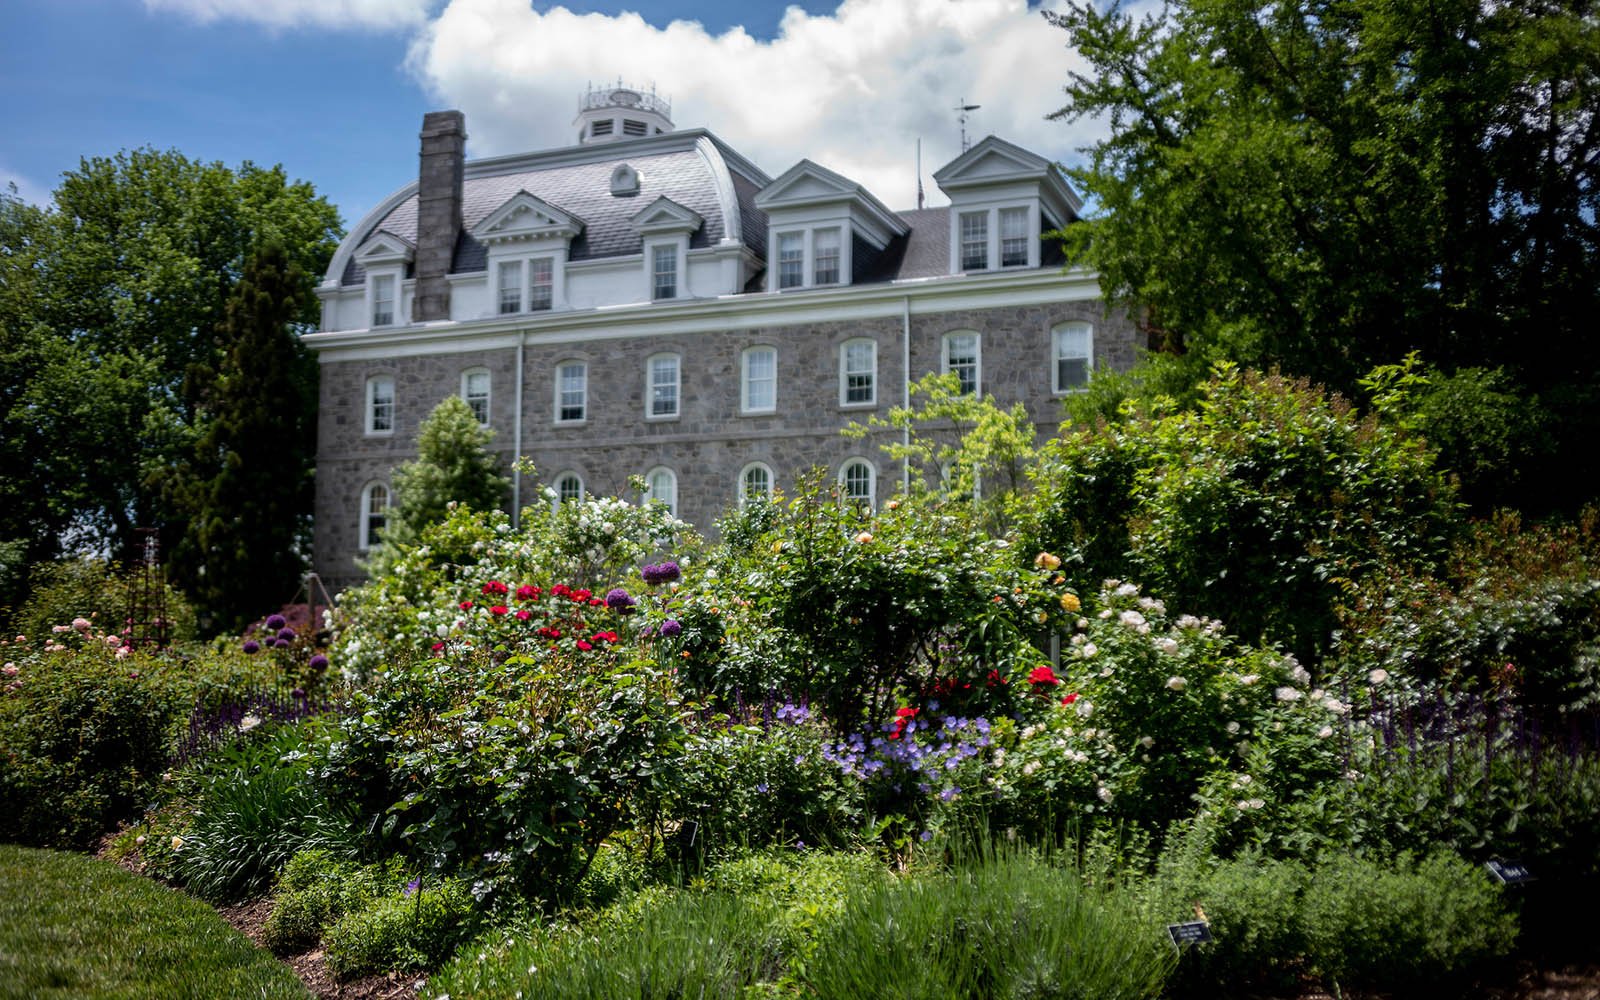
(84, 588)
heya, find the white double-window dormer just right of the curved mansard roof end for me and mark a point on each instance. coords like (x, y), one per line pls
(815, 218)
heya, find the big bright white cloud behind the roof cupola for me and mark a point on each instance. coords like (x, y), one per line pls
(852, 90)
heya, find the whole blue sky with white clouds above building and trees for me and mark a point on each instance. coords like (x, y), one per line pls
(335, 89)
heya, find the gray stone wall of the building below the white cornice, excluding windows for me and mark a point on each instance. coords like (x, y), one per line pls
(710, 442)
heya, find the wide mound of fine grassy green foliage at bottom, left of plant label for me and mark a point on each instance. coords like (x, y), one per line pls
(1002, 927)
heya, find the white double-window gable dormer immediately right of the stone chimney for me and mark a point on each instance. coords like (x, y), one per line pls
(529, 242)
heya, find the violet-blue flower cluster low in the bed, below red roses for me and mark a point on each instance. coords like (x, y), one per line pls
(913, 754)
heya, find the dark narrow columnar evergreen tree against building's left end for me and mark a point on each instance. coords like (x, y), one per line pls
(249, 521)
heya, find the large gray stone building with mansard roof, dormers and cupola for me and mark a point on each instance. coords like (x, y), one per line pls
(649, 302)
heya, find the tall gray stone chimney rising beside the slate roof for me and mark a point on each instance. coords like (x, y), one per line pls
(438, 210)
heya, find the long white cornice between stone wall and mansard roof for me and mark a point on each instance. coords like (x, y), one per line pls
(922, 297)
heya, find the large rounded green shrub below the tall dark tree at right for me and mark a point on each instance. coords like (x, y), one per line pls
(1260, 508)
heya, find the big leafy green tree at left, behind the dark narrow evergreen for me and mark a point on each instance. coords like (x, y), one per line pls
(114, 335)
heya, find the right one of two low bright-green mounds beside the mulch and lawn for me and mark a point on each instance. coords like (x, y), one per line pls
(402, 932)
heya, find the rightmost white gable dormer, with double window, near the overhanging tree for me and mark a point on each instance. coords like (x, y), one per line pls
(1002, 199)
